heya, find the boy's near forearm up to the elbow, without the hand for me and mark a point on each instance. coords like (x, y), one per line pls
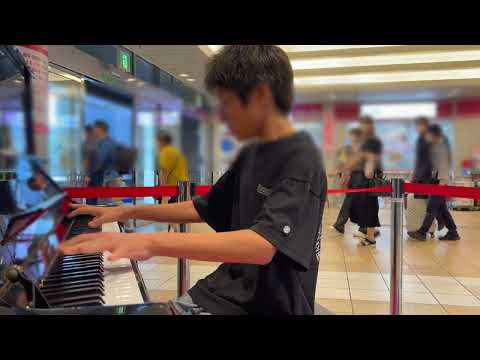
(242, 246)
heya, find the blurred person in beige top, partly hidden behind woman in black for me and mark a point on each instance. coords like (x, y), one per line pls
(346, 154)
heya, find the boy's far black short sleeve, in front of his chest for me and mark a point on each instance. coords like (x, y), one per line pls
(215, 207)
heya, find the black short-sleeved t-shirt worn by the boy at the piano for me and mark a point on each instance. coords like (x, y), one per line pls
(278, 190)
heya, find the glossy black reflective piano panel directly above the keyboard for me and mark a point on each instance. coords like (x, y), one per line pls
(29, 238)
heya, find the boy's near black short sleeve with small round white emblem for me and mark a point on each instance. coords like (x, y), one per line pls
(291, 220)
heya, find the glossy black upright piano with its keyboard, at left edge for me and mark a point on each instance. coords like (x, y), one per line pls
(34, 277)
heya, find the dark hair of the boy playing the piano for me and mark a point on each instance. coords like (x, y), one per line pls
(240, 68)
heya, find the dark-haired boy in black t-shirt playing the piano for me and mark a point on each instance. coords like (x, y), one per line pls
(266, 209)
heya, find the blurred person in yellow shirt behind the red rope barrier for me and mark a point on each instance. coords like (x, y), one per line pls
(172, 164)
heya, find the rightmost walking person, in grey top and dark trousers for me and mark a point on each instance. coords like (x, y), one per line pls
(441, 160)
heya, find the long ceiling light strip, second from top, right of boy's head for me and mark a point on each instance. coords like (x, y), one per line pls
(378, 60)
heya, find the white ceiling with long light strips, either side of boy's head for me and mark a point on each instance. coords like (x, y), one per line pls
(343, 73)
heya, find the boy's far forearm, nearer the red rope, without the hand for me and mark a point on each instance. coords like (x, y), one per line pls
(183, 212)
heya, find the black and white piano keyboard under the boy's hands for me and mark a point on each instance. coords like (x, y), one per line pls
(91, 280)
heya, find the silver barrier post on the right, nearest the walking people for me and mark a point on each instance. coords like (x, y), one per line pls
(396, 251)
